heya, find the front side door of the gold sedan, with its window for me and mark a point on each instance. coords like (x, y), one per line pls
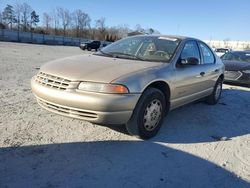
(189, 81)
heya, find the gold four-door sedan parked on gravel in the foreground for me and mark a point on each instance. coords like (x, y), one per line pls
(134, 81)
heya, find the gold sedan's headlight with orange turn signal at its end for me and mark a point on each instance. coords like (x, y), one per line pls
(103, 88)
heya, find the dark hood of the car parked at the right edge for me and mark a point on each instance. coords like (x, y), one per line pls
(236, 65)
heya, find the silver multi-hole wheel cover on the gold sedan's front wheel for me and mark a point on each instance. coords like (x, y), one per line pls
(152, 115)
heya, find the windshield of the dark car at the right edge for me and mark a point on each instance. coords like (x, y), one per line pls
(237, 56)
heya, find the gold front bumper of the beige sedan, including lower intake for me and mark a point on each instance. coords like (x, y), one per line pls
(98, 108)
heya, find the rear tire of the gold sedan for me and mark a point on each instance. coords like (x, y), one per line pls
(215, 96)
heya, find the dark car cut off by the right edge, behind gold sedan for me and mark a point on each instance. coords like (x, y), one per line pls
(237, 64)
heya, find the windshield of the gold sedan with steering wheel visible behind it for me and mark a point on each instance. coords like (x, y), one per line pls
(145, 48)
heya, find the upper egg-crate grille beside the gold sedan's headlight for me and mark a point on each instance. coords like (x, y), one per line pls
(52, 81)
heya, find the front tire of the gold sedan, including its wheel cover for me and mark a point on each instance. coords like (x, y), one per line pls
(145, 124)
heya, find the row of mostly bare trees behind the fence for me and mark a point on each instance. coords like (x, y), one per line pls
(61, 21)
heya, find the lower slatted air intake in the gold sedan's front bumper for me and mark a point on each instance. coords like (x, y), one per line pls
(77, 113)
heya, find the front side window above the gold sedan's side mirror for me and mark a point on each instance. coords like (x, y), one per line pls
(190, 50)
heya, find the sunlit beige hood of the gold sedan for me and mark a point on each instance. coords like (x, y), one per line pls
(94, 68)
